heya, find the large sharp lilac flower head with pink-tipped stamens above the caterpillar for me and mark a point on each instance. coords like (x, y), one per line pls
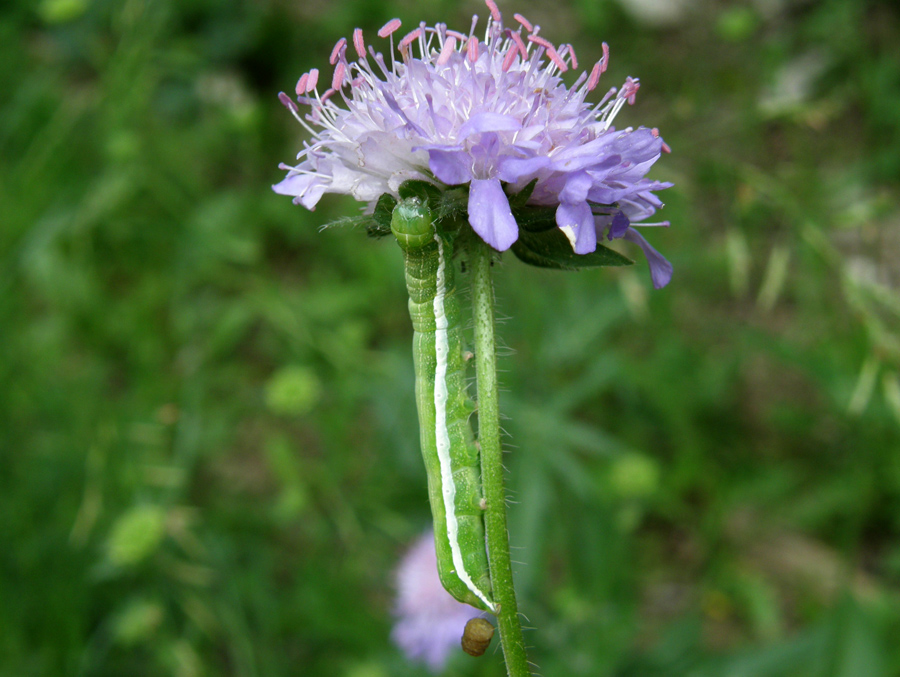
(492, 114)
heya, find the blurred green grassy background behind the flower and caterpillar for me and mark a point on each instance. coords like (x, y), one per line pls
(208, 449)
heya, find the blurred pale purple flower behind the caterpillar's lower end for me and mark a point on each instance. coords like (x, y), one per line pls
(430, 622)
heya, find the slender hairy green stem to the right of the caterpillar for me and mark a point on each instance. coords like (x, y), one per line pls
(492, 461)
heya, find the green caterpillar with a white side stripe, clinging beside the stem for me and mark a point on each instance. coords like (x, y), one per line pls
(448, 445)
